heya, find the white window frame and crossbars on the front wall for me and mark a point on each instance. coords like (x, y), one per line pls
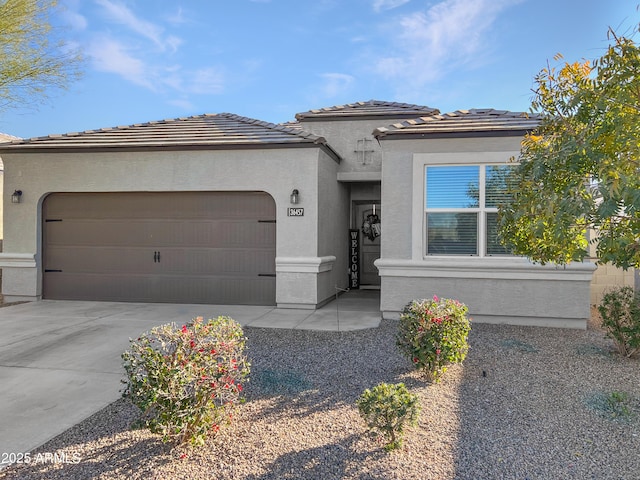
(480, 211)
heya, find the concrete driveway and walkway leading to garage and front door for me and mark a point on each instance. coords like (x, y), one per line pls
(60, 360)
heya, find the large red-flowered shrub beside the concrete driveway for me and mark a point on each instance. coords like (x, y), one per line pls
(187, 381)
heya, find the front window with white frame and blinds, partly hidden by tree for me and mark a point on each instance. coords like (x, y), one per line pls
(461, 208)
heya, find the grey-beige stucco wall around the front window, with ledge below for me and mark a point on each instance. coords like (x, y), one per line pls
(496, 289)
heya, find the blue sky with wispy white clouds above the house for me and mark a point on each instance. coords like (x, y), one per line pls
(269, 59)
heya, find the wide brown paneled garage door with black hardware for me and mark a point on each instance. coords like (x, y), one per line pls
(179, 247)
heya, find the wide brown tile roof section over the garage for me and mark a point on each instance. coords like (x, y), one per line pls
(222, 130)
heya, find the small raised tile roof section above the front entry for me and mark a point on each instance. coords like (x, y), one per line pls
(372, 109)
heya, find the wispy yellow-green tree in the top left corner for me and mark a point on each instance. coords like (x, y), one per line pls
(33, 57)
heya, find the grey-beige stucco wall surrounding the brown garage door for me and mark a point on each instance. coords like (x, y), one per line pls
(300, 262)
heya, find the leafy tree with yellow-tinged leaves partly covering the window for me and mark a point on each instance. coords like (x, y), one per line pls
(580, 168)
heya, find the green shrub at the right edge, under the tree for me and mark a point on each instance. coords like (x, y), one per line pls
(620, 312)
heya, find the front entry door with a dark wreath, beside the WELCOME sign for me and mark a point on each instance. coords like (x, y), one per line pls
(365, 216)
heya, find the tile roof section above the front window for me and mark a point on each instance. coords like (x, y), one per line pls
(462, 123)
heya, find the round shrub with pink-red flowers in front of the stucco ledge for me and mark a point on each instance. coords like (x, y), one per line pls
(433, 334)
